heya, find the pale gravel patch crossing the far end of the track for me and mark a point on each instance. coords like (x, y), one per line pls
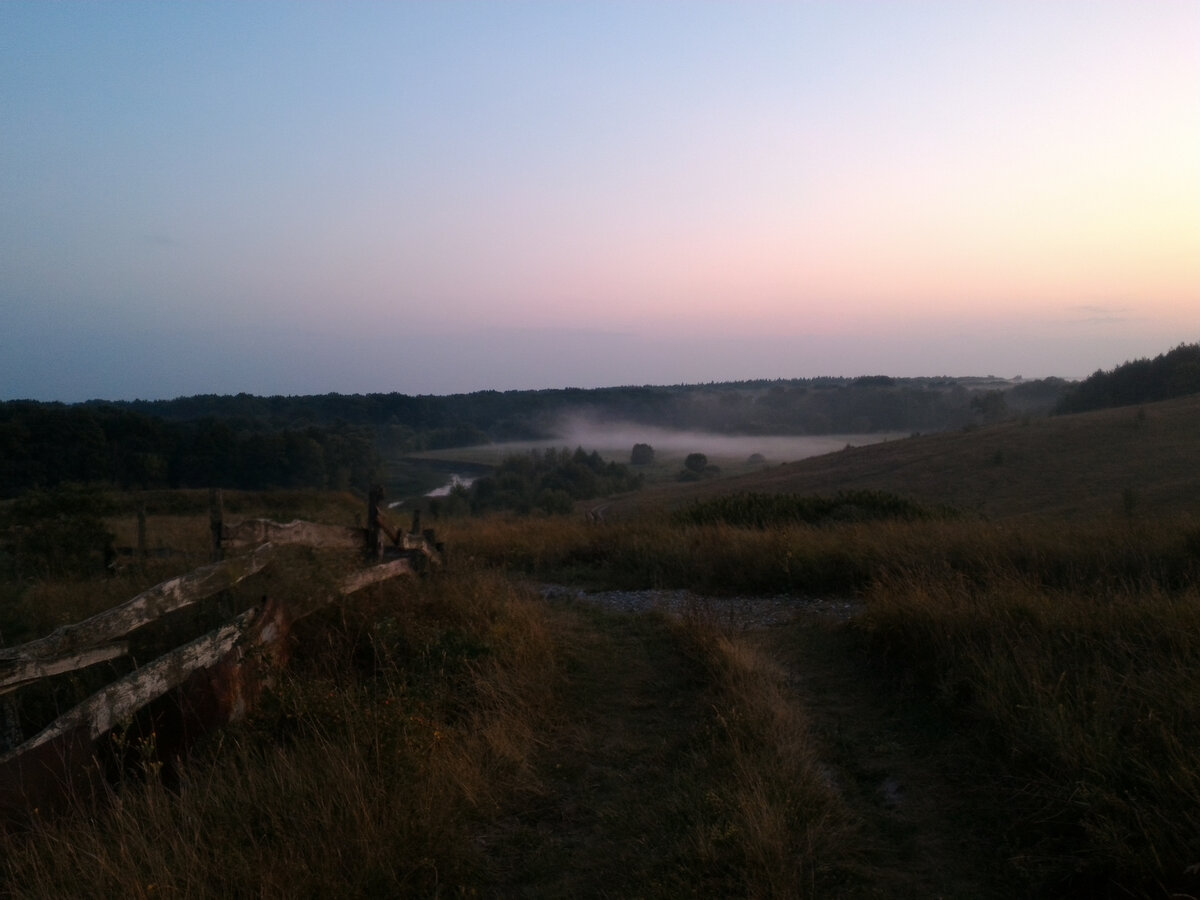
(739, 613)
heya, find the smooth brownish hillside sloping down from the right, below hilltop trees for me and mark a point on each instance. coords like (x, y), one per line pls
(1141, 460)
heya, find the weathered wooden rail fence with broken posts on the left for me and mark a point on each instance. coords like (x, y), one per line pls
(206, 682)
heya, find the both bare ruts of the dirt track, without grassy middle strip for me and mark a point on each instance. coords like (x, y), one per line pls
(625, 778)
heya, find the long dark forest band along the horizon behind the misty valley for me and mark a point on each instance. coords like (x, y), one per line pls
(341, 441)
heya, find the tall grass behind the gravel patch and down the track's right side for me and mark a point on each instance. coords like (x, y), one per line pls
(1069, 651)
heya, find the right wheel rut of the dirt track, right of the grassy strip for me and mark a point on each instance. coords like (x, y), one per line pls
(898, 765)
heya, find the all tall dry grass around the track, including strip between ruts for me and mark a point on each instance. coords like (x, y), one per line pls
(415, 716)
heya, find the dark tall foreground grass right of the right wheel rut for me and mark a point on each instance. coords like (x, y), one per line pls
(1087, 701)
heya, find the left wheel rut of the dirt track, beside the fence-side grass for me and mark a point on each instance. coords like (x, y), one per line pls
(620, 800)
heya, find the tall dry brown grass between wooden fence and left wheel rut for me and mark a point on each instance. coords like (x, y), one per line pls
(410, 716)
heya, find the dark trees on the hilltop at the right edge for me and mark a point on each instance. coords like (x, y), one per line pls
(1175, 374)
